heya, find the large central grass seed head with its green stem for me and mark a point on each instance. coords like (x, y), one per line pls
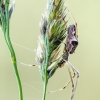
(53, 27)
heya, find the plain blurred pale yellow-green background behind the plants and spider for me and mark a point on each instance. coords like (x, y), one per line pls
(24, 30)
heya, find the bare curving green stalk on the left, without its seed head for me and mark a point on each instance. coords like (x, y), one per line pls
(9, 44)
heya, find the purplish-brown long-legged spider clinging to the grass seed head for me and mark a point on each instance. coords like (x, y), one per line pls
(70, 47)
